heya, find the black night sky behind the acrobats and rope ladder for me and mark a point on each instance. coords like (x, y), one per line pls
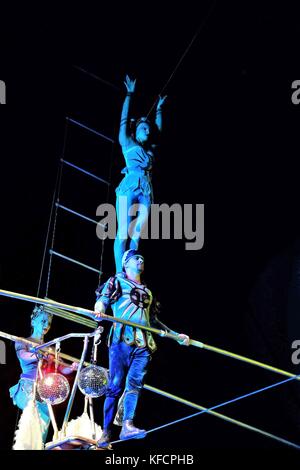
(230, 142)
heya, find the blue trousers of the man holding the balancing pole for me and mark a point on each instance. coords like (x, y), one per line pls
(127, 370)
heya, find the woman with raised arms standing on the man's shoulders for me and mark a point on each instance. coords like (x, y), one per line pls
(139, 150)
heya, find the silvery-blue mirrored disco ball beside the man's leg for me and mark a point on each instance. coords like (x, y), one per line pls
(93, 381)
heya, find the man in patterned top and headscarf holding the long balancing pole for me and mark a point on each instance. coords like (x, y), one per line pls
(130, 349)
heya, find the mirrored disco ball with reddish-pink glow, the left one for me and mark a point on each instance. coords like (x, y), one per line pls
(53, 388)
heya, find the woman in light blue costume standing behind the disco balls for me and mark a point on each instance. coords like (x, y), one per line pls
(22, 392)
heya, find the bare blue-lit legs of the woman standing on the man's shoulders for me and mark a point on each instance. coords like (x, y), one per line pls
(134, 224)
